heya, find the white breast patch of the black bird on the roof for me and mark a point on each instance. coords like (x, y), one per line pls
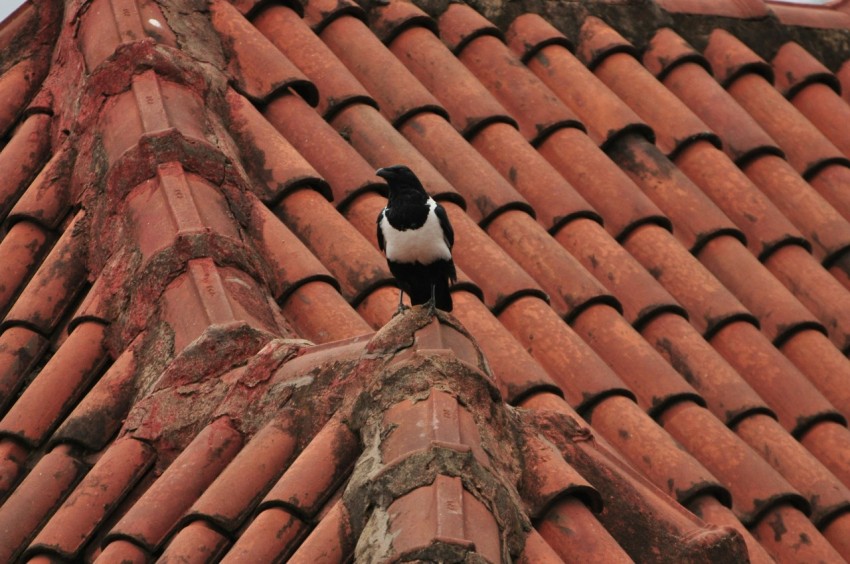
(424, 245)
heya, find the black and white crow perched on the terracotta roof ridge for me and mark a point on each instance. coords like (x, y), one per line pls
(415, 234)
